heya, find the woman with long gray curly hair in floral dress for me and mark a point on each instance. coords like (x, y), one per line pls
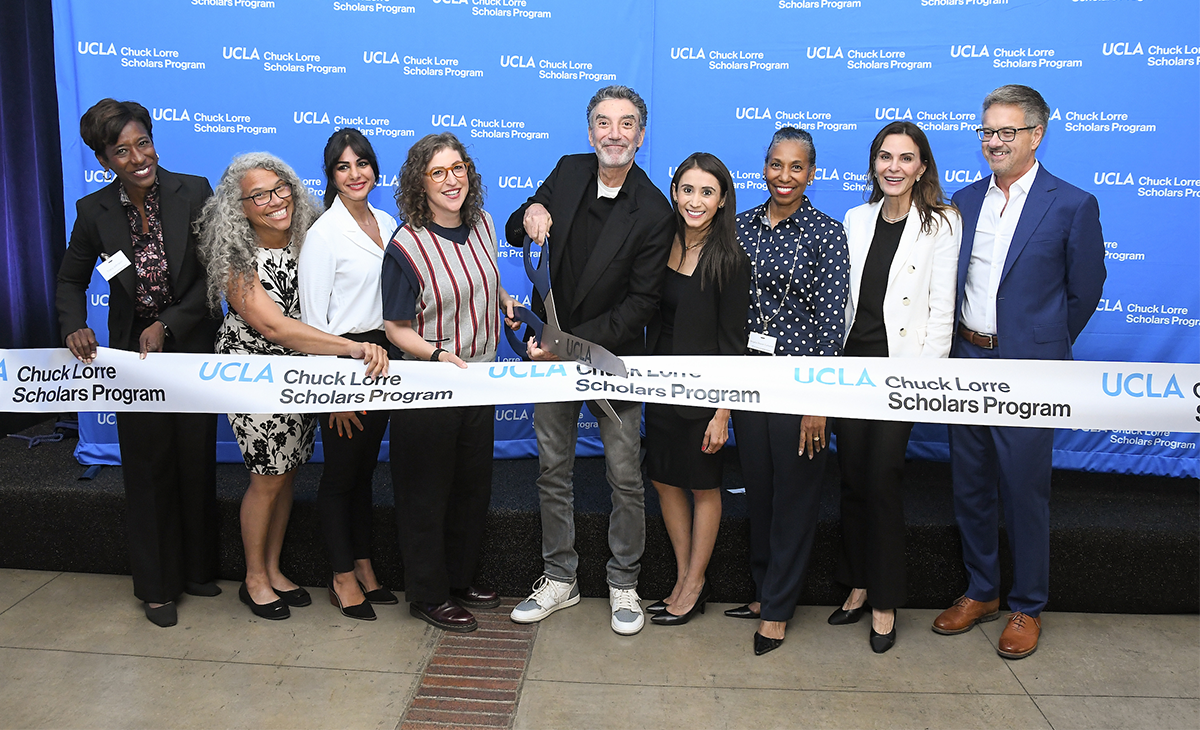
(251, 231)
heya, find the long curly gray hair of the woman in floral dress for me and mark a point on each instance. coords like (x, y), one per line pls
(229, 246)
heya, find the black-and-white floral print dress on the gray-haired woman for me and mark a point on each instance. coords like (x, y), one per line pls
(280, 442)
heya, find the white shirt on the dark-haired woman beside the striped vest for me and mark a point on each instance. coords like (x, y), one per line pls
(340, 271)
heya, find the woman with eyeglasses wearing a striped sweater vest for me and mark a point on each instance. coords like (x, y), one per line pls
(442, 298)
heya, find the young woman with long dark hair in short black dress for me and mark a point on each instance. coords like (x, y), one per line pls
(701, 313)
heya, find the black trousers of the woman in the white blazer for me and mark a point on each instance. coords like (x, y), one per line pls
(871, 454)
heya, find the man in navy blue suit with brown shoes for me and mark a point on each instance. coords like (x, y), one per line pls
(1031, 272)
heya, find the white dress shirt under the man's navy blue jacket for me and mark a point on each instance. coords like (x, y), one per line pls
(994, 236)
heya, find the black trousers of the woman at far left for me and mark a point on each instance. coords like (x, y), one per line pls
(171, 506)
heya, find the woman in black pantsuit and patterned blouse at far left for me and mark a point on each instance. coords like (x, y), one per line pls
(157, 303)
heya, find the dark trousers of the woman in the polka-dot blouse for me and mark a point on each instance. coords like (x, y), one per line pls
(783, 496)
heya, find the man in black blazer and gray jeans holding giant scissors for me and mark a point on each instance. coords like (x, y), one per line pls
(608, 261)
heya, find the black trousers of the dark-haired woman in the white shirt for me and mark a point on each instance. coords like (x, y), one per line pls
(344, 498)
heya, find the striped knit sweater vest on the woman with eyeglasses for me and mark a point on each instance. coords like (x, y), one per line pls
(460, 300)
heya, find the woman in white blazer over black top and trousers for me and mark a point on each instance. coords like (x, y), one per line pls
(904, 253)
